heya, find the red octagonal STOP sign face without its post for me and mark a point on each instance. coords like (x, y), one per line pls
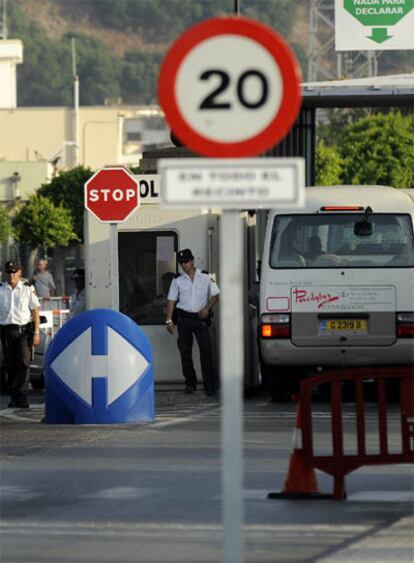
(112, 194)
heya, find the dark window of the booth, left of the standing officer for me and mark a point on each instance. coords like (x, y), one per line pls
(147, 265)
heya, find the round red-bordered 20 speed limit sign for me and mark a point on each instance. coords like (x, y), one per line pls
(230, 87)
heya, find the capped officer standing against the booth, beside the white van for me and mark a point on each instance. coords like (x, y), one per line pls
(193, 295)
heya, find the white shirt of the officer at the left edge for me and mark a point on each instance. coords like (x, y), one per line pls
(16, 305)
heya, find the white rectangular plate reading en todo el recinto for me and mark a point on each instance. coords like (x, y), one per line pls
(258, 183)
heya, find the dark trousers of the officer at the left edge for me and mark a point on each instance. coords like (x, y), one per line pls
(17, 351)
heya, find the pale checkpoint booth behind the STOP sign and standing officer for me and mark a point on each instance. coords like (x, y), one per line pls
(148, 242)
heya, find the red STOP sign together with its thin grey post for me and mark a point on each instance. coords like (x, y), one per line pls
(111, 195)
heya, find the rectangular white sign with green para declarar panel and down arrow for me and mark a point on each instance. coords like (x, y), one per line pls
(374, 25)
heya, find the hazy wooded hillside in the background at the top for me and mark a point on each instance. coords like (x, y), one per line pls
(120, 43)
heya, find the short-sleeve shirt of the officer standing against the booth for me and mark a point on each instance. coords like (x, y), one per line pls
(192, 295)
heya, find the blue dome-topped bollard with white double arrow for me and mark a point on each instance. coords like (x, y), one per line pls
(99, 370)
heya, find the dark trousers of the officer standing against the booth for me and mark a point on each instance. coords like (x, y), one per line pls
(187, 327)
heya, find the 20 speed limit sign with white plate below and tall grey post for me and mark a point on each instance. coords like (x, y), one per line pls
(230, 88)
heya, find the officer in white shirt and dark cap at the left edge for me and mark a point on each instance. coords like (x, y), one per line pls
(19, 328)
